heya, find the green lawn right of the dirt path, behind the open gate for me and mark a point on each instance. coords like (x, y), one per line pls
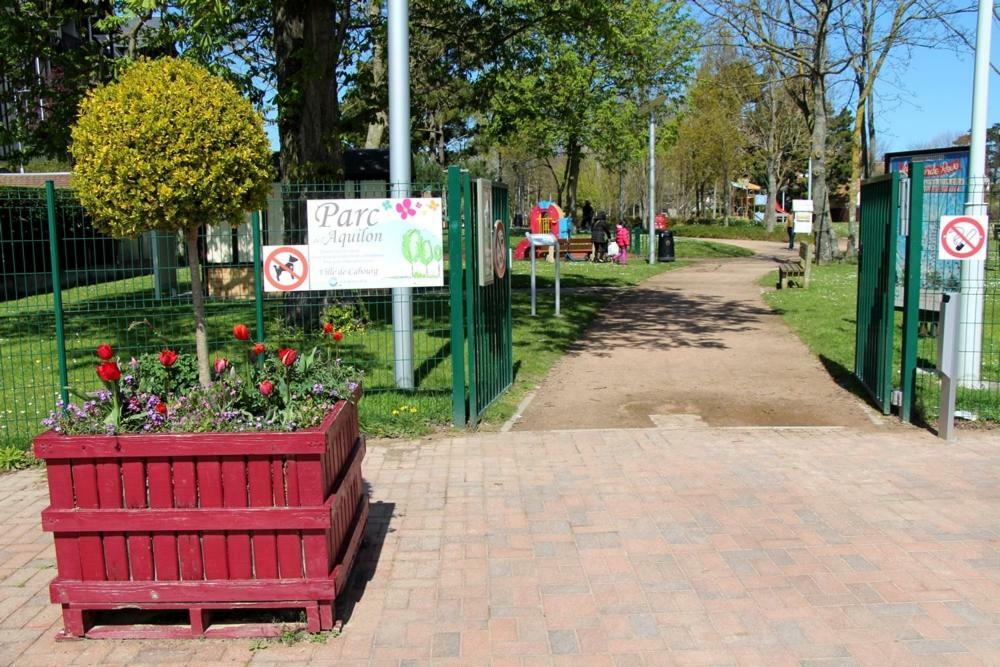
(824, 318)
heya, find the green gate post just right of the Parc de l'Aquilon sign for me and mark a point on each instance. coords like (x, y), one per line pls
(455, 296)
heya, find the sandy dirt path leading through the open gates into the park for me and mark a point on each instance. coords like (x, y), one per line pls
(696, 345)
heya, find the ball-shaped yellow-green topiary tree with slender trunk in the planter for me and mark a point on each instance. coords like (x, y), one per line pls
(170, 147)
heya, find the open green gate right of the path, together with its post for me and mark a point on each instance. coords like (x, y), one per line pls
(891, 212)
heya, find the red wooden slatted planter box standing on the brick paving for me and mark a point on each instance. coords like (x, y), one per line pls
(204, 521)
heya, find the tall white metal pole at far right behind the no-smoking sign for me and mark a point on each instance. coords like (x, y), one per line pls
(973, 274)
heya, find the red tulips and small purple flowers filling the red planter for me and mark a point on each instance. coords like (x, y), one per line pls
(272, 389)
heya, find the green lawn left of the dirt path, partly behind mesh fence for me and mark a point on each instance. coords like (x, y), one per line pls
(108, 312)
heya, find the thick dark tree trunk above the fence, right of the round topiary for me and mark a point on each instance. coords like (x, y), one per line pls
(308, 36)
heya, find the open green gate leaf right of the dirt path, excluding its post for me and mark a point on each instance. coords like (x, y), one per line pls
(880, 198)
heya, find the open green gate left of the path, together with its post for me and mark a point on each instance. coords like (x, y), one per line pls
(479, 280)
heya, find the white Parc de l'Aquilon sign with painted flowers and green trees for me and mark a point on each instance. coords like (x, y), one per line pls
(375, 243)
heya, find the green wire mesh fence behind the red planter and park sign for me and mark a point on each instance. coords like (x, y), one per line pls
(65, 288)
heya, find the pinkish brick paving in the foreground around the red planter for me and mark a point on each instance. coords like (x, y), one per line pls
(655, 546)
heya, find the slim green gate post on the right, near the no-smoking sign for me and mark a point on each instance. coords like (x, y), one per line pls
(911, 291)
